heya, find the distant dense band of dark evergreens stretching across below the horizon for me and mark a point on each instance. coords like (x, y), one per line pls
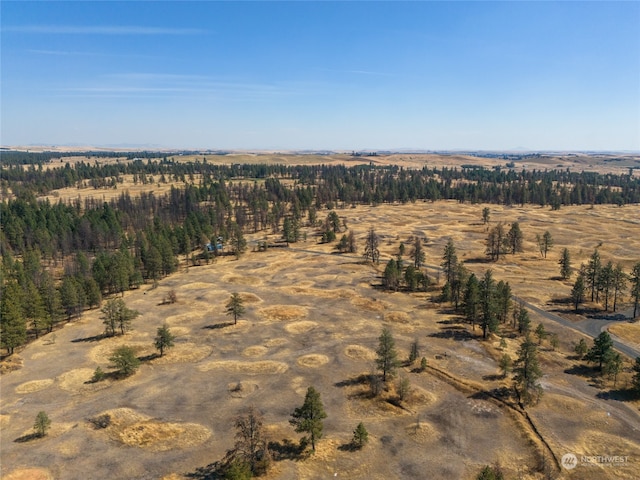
(366, 184)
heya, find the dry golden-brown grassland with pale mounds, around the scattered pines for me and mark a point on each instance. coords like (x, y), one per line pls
(313, 317)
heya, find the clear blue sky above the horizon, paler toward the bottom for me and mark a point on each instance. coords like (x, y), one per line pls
(322, 75)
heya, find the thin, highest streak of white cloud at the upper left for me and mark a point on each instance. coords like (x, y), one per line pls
(100, 30)
